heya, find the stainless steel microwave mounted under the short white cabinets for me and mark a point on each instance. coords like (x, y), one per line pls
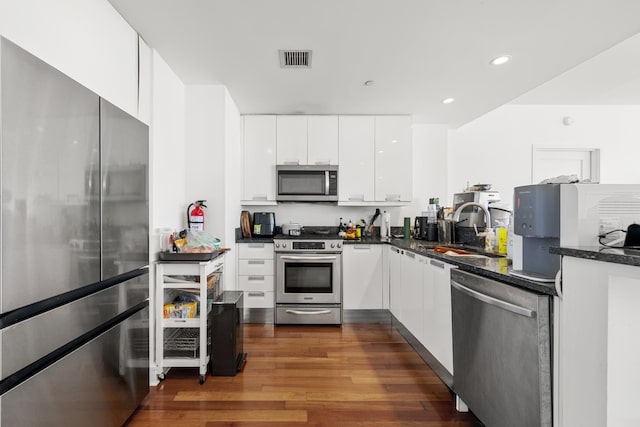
(312, 183)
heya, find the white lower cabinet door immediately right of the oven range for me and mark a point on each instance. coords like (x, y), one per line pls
(362, 277)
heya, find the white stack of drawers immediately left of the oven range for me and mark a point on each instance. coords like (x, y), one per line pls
(256, 274)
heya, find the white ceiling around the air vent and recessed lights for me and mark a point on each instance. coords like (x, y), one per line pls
(416, 51)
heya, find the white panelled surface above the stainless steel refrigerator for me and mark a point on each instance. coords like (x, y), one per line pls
(85, 39)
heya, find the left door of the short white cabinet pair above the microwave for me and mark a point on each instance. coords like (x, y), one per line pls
(292, 140)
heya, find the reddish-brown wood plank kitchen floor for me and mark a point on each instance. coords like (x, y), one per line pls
(356, 375)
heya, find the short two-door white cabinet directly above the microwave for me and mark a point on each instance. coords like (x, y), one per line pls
(307, 140)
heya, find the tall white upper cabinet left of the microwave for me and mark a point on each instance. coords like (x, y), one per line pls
(259, 160)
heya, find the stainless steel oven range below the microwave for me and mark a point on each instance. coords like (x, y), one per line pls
(308, 280)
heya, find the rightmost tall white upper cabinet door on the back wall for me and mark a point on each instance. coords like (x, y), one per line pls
(393, 171)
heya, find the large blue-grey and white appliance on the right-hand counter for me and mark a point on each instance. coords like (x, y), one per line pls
(547, 215)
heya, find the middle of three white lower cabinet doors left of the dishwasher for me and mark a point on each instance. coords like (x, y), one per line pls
(411, 298)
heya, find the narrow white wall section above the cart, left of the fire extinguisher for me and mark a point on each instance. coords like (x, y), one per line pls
(167, 150)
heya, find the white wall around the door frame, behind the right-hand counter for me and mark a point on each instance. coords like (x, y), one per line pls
(496, 148)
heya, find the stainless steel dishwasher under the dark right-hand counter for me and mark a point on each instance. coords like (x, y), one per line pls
(501, 351)
